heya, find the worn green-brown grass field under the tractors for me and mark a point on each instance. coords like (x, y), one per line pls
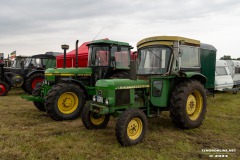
(27, 133)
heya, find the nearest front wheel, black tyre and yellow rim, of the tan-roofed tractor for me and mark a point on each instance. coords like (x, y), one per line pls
(131, 127)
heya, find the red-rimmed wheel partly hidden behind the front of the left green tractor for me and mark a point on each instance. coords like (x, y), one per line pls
(32, 81)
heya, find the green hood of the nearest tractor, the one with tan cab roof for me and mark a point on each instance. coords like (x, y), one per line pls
(118, 84)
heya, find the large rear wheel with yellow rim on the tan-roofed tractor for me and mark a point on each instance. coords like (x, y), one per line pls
(188, 104)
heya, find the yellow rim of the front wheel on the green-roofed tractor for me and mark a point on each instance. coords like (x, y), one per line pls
(68, 102)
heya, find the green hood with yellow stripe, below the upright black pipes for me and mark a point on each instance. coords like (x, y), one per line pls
(68, 72)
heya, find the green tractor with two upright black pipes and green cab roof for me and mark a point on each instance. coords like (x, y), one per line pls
(65, 90)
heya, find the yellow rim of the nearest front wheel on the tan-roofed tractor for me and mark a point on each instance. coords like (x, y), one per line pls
(134, 128)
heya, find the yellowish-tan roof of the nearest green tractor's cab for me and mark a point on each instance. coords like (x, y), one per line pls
(166, 40)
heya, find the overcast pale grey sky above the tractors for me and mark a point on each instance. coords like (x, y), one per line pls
(34, 27)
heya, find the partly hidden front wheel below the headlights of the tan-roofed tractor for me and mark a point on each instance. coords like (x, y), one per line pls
(92, 120)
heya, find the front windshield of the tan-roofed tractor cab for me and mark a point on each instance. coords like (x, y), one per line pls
(154, 60)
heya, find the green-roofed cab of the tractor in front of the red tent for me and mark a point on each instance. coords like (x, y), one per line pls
(108, 59)
